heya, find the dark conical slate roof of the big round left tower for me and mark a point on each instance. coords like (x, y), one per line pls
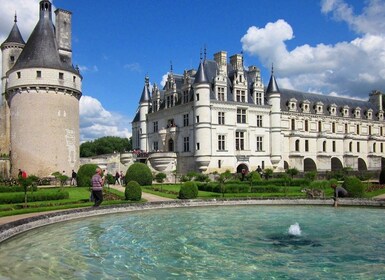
(41, 48)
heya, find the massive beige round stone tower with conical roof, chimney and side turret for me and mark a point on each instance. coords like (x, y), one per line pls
(42, 91)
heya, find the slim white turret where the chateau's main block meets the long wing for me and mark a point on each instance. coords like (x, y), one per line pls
(274, 98)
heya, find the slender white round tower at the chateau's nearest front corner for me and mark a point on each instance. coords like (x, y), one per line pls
(202, 115)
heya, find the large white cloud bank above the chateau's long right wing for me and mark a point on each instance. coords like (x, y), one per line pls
(350, 68)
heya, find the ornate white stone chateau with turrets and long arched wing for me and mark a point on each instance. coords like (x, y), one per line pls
(221, 117)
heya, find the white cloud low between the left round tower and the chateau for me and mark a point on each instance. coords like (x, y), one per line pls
(96, 122)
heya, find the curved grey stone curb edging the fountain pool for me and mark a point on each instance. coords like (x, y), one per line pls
(11, 229)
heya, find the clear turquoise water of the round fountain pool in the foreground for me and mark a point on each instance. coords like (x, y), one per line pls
(235, 242)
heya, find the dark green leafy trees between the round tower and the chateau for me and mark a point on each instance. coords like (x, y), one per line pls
(105, 145)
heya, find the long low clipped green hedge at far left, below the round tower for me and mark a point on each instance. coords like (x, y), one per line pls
(41, 195)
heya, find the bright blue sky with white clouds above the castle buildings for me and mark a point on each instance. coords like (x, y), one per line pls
(329, 46)
